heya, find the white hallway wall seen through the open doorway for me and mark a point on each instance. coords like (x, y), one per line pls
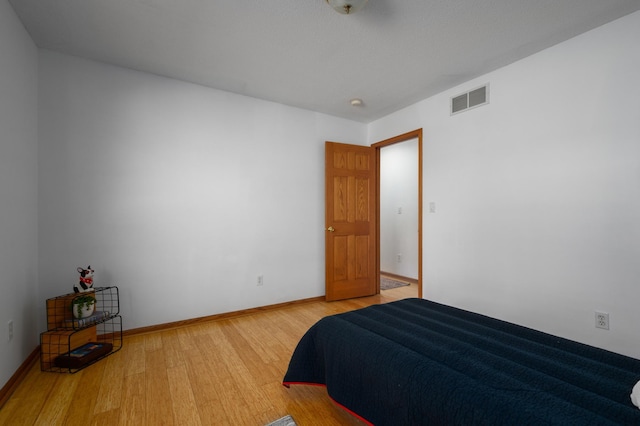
(399, 208)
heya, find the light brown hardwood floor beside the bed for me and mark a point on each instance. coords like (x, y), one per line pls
(224, 372)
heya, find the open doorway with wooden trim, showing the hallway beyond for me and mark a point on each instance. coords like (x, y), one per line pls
(399, 210)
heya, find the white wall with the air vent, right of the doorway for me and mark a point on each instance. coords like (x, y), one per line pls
(538, 193)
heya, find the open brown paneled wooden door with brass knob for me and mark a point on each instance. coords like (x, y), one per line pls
(350, 210)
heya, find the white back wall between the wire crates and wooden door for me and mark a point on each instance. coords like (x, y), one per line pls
(179, 194)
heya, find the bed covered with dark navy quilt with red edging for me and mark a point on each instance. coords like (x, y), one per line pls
(415, 361)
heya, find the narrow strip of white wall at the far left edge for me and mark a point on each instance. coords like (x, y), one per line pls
(18, 193)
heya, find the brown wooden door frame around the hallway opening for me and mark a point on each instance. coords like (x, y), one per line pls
(414, 134)
